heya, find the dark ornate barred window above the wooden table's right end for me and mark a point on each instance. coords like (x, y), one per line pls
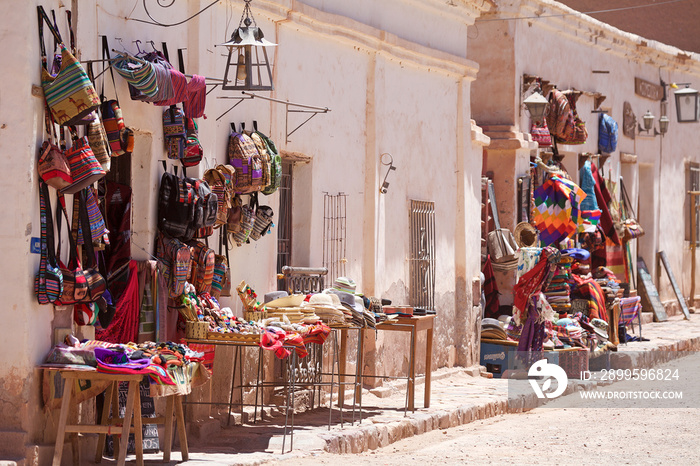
(422, 259)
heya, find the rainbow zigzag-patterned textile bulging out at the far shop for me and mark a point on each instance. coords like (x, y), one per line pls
(556, 213)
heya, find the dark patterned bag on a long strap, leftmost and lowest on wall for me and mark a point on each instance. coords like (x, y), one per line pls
(48, 283)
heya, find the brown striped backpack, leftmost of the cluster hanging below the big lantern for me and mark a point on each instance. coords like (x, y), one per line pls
(245, 159)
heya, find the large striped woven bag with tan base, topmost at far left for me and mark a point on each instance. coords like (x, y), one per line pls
(70, 94)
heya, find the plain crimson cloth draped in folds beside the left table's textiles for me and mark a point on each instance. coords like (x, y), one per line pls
(125, 325)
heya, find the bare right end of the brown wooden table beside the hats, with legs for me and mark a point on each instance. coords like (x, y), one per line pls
(414, 325)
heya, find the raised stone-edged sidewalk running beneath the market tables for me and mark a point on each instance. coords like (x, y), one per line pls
(459, 396)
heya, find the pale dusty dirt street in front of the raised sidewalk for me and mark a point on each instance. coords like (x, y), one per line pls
(606, 434)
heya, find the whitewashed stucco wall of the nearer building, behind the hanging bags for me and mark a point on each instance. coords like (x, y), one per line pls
(396, 80)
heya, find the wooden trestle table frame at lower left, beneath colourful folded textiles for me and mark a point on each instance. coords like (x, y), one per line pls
(131, 422)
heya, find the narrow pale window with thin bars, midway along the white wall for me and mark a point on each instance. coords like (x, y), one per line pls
(334, 235)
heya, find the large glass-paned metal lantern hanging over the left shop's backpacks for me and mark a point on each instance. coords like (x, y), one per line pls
(247, 66)
